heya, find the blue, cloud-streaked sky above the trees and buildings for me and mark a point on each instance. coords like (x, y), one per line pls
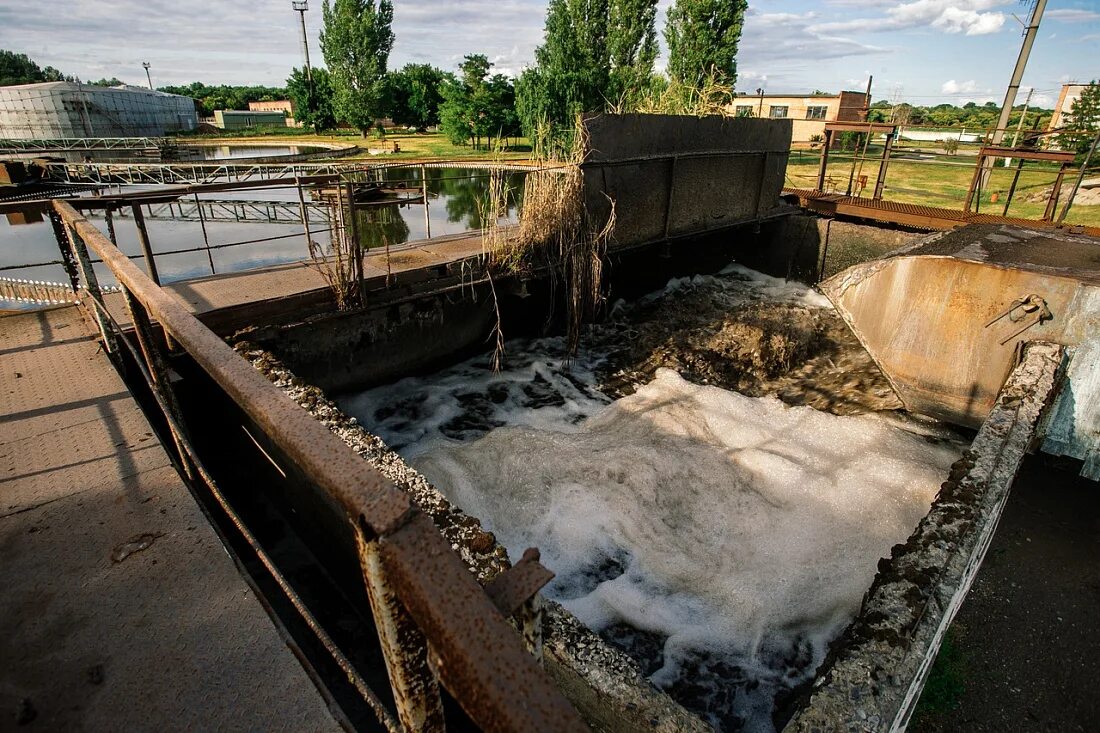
(925, 52)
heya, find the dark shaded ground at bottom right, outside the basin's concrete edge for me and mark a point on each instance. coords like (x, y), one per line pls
(1028, 640)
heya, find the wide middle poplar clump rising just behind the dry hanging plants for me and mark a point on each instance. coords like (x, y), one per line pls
(597, 54)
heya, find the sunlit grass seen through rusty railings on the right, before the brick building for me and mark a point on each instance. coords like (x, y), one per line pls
(943, 181)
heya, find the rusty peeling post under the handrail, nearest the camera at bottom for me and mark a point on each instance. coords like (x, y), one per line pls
(416, 690)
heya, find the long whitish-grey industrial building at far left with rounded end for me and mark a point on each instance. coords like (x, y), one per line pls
(67, 110)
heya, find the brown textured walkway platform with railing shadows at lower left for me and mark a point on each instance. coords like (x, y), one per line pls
(120, 608)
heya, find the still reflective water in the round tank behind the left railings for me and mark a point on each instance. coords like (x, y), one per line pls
(457, 199)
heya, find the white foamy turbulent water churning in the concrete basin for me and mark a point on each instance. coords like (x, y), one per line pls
(723, 541)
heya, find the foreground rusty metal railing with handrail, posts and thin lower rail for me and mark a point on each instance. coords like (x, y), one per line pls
(438, 627)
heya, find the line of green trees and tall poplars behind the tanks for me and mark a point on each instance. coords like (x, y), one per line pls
(598, 56)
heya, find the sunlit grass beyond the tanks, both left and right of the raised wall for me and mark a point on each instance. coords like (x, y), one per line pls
(932, 180)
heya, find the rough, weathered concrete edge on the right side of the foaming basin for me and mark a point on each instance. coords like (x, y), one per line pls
(876, 672)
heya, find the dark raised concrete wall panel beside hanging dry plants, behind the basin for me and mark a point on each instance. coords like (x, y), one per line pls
(678, 177)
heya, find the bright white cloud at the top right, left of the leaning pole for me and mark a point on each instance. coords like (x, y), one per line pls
(970, 17)
